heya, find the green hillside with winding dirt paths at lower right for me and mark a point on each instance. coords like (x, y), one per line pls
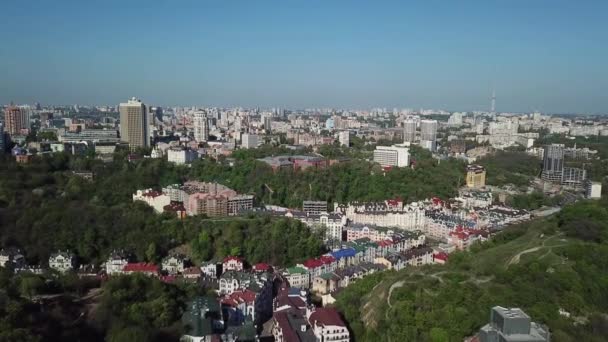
(540, 266)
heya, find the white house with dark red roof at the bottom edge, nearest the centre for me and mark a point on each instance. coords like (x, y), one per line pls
(328, 326)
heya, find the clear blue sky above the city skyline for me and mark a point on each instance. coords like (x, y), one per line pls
(546, 55)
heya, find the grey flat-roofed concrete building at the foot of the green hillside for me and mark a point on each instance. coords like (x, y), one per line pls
(512, 325)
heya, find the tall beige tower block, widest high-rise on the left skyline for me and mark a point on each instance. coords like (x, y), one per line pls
(134, 124)
